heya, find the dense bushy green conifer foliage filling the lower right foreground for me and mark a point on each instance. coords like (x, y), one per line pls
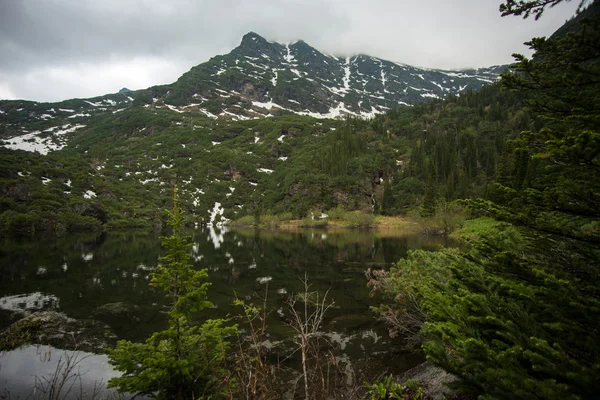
(506, 317)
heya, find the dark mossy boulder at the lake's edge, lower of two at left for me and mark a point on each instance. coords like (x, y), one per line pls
(58, 330)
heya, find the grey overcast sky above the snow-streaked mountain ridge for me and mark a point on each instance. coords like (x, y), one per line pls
(58, 49)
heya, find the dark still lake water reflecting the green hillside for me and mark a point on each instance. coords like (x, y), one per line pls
(79, 274)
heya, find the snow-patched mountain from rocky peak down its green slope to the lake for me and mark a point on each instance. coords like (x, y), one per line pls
(111, 160)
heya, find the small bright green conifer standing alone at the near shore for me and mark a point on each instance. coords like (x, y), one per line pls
(186, 359)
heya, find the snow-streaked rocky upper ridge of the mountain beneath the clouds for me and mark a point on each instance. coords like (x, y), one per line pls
(260, 78)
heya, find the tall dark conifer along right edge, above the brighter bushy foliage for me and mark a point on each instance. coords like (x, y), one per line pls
(556, 165)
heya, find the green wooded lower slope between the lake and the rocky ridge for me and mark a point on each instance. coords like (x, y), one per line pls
(118, 170)
